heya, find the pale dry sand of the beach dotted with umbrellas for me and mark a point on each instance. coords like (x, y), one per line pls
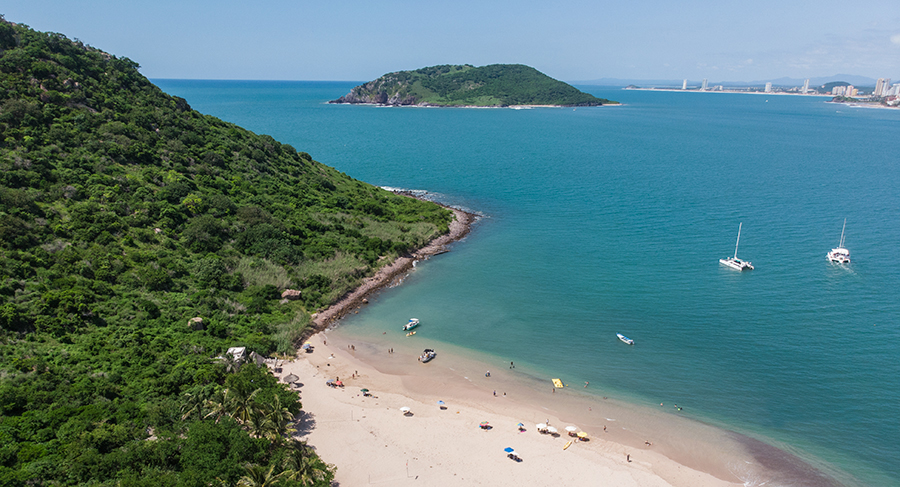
(372, 442)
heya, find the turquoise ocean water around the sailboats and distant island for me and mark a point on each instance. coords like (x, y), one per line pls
(608, 220)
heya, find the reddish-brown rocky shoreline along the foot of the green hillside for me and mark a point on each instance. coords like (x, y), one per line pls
(459, 228)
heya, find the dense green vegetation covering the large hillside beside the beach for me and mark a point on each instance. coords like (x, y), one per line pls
(124, 214)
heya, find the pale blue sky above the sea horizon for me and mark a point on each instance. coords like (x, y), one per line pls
(353, 40)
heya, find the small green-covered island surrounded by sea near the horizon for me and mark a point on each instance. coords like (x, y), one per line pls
(496, 85)
